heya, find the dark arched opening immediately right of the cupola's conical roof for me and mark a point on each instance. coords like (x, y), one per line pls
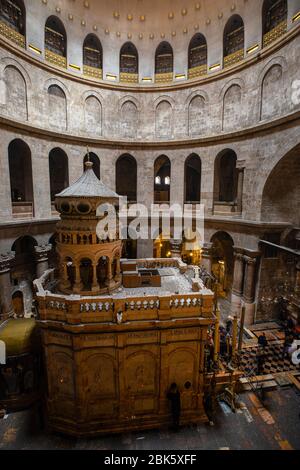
(126, 177)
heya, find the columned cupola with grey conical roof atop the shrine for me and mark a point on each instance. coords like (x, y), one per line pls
(89, 264)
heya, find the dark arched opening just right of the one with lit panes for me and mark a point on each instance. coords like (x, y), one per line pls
(192, 178)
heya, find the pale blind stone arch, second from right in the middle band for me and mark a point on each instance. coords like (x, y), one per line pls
(232, 100)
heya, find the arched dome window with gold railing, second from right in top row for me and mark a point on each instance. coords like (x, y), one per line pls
(233, 42)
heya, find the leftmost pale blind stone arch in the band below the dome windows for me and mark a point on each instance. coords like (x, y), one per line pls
(15, 93)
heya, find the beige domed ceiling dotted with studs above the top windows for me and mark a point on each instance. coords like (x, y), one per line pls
(145, 19)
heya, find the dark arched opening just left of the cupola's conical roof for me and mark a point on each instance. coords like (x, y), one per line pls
(58, 171)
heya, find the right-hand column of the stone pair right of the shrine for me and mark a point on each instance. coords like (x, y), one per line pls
(249, 289)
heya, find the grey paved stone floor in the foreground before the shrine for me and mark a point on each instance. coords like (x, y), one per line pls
(275, 426)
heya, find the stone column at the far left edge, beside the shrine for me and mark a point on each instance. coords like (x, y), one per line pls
(6, 306)
